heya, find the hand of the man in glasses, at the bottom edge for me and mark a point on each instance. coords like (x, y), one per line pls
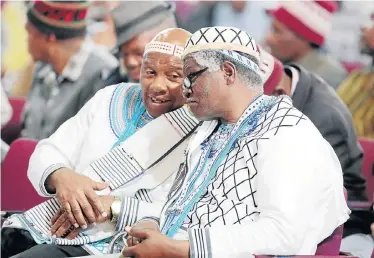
(155, 245)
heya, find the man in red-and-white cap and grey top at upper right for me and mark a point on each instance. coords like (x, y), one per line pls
(297, 33)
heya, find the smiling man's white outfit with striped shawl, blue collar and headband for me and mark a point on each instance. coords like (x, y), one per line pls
(111, 139)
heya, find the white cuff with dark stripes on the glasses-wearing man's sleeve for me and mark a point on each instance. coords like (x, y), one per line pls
(199, 243)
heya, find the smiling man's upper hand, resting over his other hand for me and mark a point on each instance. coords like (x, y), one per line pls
(76, 194)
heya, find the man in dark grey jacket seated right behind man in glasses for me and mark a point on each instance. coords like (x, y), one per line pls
(322, 105)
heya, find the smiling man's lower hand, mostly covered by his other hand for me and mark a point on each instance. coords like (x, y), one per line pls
(62, 227)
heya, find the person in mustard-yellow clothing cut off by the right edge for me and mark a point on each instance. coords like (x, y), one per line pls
(357, 91)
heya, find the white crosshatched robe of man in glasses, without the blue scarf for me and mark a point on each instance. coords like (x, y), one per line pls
(279, 191)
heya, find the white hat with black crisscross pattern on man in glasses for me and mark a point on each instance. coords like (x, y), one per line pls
(229, 41)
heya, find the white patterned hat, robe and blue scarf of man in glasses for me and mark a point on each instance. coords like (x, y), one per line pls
(267, 184)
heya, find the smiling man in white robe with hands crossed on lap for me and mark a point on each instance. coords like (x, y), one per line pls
(126, 144)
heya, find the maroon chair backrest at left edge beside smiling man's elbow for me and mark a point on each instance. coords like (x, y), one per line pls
(17, 192)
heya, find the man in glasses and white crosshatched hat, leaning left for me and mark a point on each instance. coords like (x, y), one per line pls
(254, 179)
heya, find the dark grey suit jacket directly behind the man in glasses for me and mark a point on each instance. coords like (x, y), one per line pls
(318, 101)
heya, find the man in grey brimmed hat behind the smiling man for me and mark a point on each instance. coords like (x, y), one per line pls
(136, 23)
